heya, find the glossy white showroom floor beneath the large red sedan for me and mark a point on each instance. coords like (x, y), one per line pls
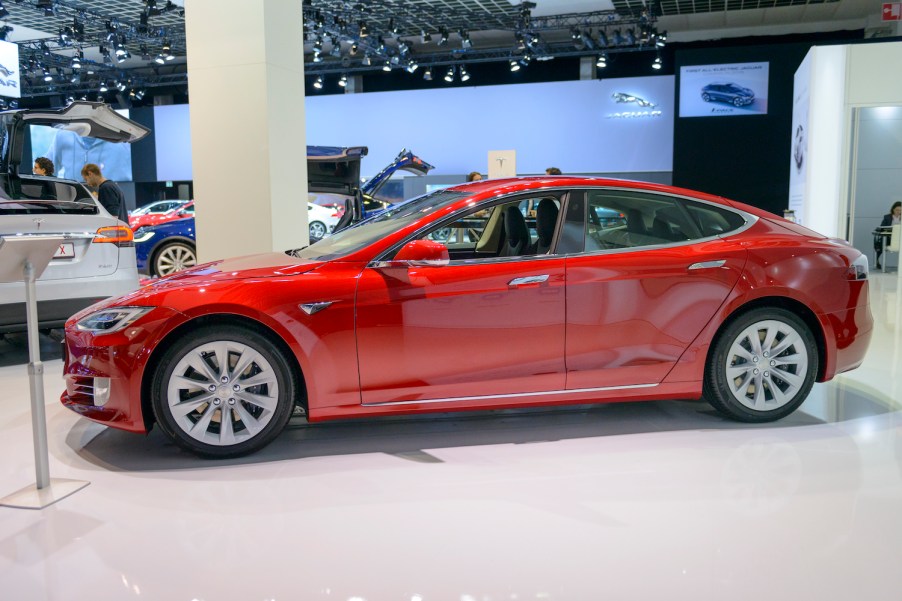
(660, 500)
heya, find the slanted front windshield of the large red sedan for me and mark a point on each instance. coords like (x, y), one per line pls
(366, 232)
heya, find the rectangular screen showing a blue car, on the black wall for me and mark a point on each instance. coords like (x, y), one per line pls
(723, 90)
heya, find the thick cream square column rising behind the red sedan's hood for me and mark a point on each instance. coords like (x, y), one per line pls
(246, 90)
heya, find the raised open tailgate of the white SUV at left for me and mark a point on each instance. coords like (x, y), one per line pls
(87, 119)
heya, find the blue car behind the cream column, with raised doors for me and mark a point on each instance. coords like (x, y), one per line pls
(170, 247)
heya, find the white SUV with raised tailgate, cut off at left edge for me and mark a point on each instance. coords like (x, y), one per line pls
(96, 259)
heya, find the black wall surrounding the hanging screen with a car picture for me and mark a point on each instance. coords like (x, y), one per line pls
(745, 158)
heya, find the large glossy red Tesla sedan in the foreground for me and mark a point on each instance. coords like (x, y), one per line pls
(681, 296)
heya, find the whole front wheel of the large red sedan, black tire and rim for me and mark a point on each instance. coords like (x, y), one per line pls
(255, 413)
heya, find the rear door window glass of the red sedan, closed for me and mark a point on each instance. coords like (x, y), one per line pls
(617, 219)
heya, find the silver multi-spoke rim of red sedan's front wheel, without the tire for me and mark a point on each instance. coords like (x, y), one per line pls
(222, 393)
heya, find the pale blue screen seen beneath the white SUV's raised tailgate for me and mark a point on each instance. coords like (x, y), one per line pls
(70, 152)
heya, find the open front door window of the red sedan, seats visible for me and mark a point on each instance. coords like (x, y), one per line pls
(522, 227)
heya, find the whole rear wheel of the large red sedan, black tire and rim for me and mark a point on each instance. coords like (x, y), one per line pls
(765, 383)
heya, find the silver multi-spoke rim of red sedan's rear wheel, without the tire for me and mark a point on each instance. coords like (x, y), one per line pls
(767, 365)
